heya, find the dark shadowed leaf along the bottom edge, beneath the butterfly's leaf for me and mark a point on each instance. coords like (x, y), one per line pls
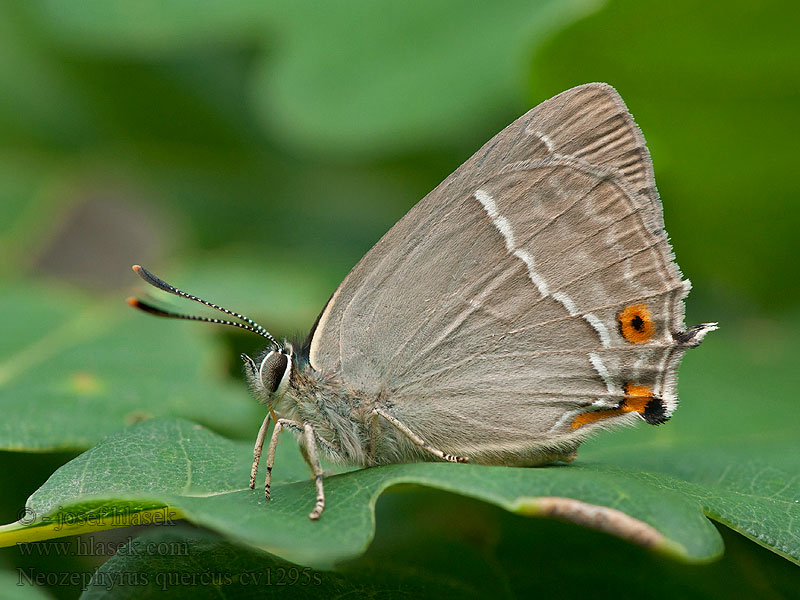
(432, 544)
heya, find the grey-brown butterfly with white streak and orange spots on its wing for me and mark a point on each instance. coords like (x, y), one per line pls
(528, 301)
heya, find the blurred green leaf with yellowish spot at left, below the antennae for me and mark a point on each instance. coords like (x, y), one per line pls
(73, 370)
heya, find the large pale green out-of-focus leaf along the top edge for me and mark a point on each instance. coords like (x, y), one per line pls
(393, 54)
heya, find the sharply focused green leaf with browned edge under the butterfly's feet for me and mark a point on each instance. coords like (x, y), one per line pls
(204, 476)
